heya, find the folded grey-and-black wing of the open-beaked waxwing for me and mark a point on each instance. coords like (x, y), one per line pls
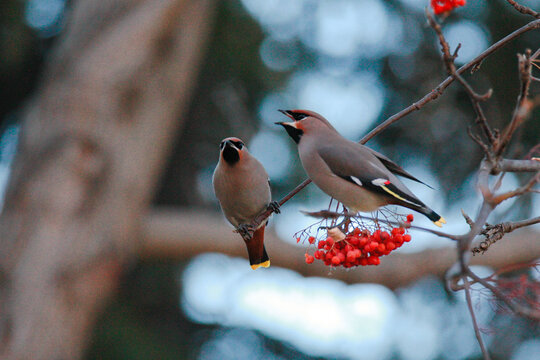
(359, 166)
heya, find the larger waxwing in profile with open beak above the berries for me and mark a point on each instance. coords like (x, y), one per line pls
(360, 178)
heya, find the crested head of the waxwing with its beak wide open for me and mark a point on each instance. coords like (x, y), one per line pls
(304, 122)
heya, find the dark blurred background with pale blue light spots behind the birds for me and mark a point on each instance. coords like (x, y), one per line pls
(356, 62)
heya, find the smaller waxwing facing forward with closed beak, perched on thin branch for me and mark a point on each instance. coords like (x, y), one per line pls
(242, 187)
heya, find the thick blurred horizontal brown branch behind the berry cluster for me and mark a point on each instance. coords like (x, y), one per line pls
(180, 234)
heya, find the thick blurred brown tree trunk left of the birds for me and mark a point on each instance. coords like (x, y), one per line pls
(92, 145)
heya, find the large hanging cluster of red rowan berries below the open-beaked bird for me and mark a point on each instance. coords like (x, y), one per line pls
(360, 247)
